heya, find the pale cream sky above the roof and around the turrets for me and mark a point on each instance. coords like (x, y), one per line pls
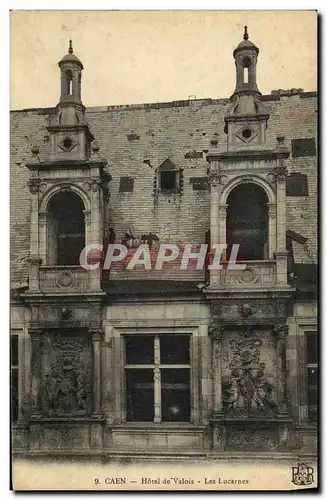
(133, 57)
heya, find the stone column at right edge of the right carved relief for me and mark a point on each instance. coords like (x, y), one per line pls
(281, 332)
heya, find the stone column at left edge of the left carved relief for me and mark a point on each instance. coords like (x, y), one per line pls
(35, 372)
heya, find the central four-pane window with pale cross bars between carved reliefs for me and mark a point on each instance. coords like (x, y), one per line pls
(157, 370)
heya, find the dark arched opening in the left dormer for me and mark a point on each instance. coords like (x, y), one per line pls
(66, 229)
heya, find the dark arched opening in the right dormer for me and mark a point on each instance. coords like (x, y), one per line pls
(247, 221)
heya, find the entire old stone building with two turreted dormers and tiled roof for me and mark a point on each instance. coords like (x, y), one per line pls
(186, 362)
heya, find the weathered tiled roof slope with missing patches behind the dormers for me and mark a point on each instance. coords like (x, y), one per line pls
(137, 139)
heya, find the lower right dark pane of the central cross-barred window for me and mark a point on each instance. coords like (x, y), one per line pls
(175, 395)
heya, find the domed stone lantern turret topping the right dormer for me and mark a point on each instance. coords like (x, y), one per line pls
(246, 119)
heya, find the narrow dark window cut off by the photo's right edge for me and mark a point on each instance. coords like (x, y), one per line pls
(312, 375)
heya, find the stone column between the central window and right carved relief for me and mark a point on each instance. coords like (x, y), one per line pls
(216, 332)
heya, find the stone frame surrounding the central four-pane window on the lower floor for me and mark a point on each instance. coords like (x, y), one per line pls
(194, 382)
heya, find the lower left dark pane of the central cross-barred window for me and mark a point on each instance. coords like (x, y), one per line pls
(140, 395)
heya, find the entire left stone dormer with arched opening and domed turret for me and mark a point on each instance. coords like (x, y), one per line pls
(69, 195)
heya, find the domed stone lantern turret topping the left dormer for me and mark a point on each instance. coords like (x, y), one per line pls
(69, 131)
